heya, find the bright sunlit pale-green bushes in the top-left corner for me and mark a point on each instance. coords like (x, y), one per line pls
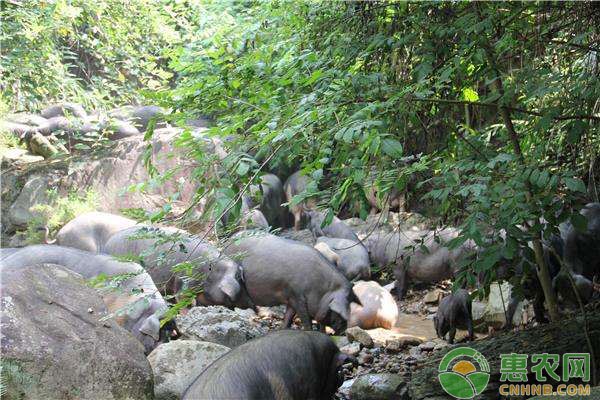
(94, 52)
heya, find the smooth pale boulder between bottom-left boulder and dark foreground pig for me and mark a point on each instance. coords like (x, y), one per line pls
(176, 364)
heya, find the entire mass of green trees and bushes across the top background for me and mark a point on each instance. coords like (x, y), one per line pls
(486, 115)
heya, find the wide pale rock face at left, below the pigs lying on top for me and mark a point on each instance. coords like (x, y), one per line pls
(108, 173)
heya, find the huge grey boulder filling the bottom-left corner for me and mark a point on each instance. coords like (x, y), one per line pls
(57, 343)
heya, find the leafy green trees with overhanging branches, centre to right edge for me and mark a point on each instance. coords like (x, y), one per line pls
(498, 102)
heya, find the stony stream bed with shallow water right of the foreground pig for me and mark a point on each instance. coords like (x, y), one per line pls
(386, 358)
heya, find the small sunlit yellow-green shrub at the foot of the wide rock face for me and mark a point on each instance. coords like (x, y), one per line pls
(56, 212)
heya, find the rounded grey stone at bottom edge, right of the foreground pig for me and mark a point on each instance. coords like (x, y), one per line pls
(379, 387)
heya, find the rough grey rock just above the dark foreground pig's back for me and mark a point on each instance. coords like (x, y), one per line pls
(220, 325)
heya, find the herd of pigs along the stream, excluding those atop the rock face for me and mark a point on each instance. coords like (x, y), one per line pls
(328, 283)
